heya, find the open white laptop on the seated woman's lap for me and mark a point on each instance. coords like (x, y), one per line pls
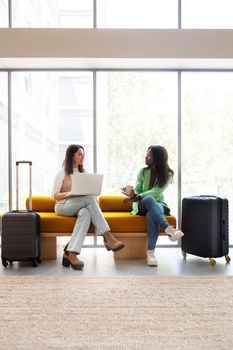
(86, 184)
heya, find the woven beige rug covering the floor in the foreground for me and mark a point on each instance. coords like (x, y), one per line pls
(116, 313)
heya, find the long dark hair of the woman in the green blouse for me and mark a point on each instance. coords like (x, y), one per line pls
(160, 170)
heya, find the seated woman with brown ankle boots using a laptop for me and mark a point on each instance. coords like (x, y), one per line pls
(85, 207)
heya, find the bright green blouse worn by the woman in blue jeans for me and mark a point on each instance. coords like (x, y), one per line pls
(142, 185)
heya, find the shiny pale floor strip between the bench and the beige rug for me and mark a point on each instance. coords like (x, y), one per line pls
(99, 262)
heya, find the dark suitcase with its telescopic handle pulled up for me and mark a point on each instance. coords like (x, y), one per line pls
(21, 231)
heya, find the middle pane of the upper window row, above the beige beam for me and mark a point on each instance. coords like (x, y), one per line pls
(137, 13)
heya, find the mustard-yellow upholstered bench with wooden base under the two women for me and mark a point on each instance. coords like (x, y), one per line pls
(131, 229)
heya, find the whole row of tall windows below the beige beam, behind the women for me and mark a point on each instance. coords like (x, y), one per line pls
(134, 110)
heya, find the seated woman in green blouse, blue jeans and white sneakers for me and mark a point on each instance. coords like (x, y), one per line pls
(147, 197)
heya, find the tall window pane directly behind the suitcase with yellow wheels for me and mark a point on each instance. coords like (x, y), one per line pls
(207, 135)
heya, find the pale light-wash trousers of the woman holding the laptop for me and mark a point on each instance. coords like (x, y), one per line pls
(87, 209)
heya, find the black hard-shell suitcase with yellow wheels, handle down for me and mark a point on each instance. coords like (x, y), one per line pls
(205, 227)
